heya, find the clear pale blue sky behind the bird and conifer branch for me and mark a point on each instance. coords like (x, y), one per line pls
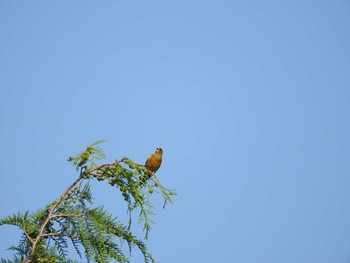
(250, 101)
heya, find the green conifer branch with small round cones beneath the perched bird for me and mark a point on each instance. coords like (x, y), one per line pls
(71, 220)
